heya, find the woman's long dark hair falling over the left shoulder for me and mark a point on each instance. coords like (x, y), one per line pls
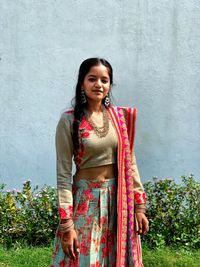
(85, 67)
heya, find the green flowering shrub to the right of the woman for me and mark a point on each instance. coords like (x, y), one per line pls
(173, 212)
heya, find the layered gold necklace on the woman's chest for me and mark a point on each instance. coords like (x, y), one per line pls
(103, 130)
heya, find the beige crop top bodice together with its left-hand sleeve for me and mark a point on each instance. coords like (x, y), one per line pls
(94, 151)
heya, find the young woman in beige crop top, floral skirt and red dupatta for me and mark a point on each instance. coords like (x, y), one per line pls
(102, 209)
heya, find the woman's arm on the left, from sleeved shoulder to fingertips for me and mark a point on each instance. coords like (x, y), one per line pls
(64, 152)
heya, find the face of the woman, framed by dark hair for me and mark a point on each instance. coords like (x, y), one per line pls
(96, 83)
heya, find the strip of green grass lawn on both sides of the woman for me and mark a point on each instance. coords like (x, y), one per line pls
(40, 257)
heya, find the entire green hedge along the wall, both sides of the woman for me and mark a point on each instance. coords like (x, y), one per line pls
(30, 216)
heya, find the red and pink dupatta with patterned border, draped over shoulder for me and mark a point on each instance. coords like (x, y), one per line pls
(128, 242)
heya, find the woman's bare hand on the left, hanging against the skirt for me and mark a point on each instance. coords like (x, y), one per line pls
(70, 244)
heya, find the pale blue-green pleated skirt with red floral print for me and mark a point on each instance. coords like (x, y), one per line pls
(95, 220)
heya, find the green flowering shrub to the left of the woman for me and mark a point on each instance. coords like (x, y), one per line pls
(28, 216)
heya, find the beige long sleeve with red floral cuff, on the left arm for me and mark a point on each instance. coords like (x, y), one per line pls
(64, 152)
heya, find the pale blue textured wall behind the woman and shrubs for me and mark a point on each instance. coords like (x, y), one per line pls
(154, 47)
